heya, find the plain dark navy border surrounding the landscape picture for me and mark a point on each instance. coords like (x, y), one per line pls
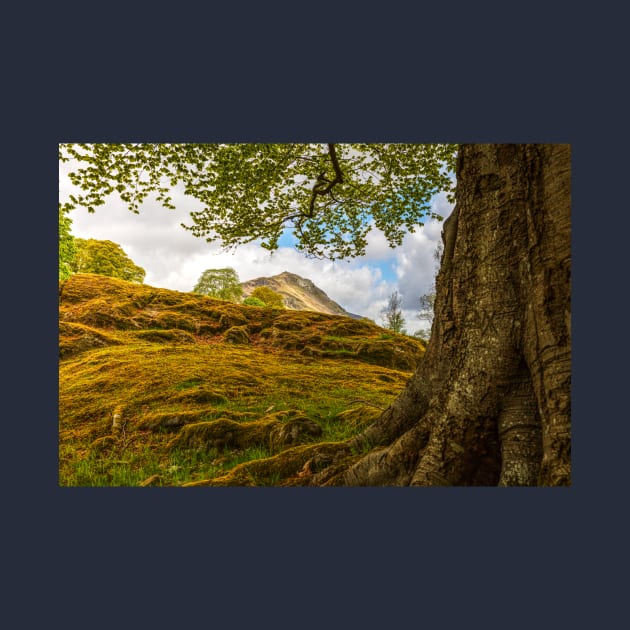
(339, 558)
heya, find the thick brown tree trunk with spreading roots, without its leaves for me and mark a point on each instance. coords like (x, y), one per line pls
(490, 403)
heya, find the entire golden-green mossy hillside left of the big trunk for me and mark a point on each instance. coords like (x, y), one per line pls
(205, 392)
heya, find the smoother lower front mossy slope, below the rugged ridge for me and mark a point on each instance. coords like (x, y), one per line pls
(183, 403)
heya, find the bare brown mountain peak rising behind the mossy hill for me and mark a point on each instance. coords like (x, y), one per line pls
(300, 294)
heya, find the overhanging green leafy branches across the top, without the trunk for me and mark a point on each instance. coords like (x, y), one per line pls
(329, 195)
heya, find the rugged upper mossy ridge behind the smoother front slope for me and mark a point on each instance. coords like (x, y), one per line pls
(104, 307)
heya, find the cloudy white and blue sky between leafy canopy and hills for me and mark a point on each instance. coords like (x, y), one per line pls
(174, 259)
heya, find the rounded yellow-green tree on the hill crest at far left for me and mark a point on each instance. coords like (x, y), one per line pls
(105, 258)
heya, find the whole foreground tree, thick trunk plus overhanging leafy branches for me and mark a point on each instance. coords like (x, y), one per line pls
(490, 401)
